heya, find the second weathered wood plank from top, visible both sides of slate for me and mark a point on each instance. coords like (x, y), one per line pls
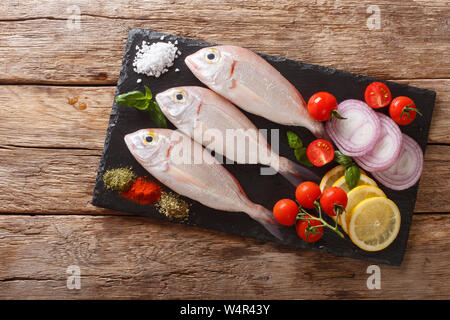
(40, 116)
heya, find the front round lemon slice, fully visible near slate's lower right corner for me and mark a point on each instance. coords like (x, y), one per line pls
(374, 223)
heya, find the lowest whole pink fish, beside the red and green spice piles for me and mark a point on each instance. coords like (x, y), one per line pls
(173, 158)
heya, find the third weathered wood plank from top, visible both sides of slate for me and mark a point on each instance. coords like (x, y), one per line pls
(34, 180)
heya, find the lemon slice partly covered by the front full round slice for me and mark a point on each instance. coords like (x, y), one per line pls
(355, 196)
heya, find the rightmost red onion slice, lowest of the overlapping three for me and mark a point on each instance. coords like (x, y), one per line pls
(407, 169)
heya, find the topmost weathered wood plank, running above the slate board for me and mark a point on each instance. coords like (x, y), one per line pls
(41, 43)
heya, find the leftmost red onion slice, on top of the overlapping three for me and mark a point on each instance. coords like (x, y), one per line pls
(358, 133)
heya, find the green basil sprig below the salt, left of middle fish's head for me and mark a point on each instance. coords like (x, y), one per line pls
(143, 101)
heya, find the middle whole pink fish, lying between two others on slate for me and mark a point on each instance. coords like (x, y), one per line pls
(201, 113)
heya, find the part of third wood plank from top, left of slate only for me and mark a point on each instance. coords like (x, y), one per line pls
(48, 180)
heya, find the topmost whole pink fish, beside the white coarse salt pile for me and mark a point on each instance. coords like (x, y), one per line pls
(250, 82)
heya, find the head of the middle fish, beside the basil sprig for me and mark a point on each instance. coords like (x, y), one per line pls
(180, 104)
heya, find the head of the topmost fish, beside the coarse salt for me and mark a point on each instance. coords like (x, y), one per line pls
(211, 65)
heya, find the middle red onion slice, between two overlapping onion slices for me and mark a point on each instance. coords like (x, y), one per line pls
(386, 150)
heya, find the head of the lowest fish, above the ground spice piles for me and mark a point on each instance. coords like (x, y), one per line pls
(150, 147)
